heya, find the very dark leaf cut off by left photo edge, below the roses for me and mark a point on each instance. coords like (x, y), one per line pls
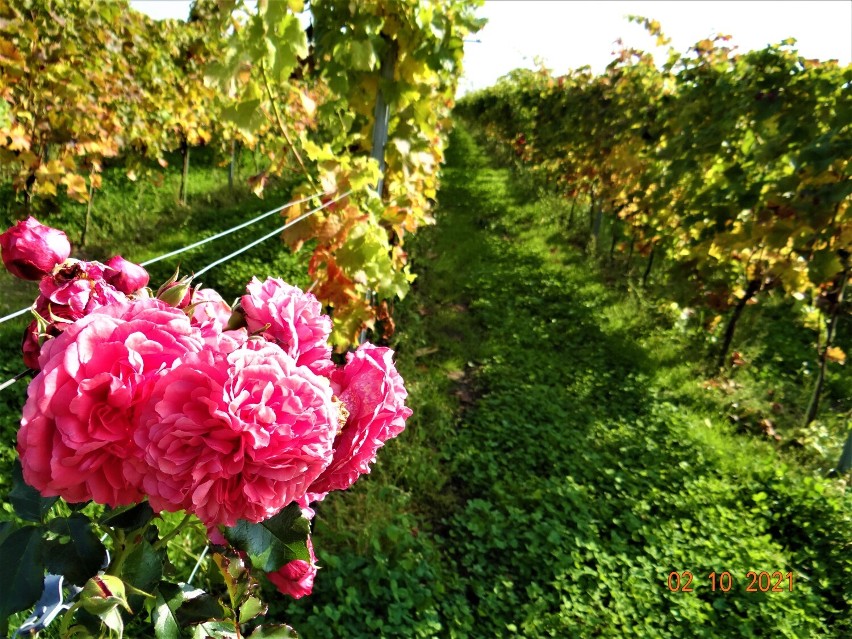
(23, 571)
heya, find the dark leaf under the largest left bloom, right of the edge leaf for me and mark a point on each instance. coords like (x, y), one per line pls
(78, 559)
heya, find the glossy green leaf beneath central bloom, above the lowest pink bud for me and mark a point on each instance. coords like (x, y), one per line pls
(274, 542)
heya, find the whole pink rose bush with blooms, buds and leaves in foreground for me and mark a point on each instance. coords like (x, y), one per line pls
(152, 402)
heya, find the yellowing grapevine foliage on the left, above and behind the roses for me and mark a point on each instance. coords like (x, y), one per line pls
(85, 81)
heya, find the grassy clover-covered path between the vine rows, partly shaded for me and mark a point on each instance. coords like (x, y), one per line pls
(564, 458)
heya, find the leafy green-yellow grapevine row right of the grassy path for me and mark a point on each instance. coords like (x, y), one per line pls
(732, 167)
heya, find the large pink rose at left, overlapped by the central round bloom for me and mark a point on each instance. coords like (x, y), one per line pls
(76, 435)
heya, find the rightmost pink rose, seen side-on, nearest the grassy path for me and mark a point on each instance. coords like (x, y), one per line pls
(374, 394)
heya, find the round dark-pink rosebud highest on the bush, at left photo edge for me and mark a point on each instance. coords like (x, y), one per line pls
(31, 250)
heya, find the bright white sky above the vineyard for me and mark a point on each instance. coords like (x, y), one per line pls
(568, 34)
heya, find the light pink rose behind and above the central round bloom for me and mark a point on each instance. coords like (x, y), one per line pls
(295, 318)
